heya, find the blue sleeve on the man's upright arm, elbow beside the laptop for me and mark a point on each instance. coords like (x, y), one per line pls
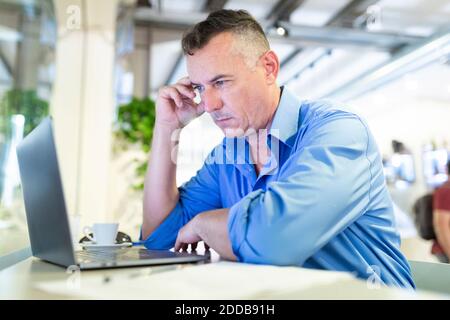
(201, 193)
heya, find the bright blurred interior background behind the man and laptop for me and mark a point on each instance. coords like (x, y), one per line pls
(95, 66)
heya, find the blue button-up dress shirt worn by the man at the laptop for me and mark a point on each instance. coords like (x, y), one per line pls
(320, 201)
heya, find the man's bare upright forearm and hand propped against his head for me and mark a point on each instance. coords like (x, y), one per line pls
(175, 108)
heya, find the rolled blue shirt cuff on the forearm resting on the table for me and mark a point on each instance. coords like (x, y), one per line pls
(237, 222)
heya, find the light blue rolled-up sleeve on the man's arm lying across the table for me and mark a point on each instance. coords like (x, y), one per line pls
(322, 188)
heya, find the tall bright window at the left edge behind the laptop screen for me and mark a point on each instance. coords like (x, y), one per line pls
(27, 47)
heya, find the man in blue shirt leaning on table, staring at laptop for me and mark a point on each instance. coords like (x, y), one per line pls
(308, 191)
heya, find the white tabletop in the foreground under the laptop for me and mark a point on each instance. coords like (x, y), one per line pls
(35, 279)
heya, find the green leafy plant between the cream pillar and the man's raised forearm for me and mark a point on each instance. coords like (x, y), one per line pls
(135, 123)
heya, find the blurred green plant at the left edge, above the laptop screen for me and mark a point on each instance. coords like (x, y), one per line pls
(25, 102)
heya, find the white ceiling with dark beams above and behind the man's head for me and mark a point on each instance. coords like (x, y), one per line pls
(342, 41)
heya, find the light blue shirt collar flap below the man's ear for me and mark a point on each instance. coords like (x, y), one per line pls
(285, 121)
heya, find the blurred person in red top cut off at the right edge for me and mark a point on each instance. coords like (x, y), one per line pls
(441, 220)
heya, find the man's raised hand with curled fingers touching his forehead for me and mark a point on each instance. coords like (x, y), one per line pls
(175, 106)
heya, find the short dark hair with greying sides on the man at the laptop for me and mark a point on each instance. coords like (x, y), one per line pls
(252, 41)
